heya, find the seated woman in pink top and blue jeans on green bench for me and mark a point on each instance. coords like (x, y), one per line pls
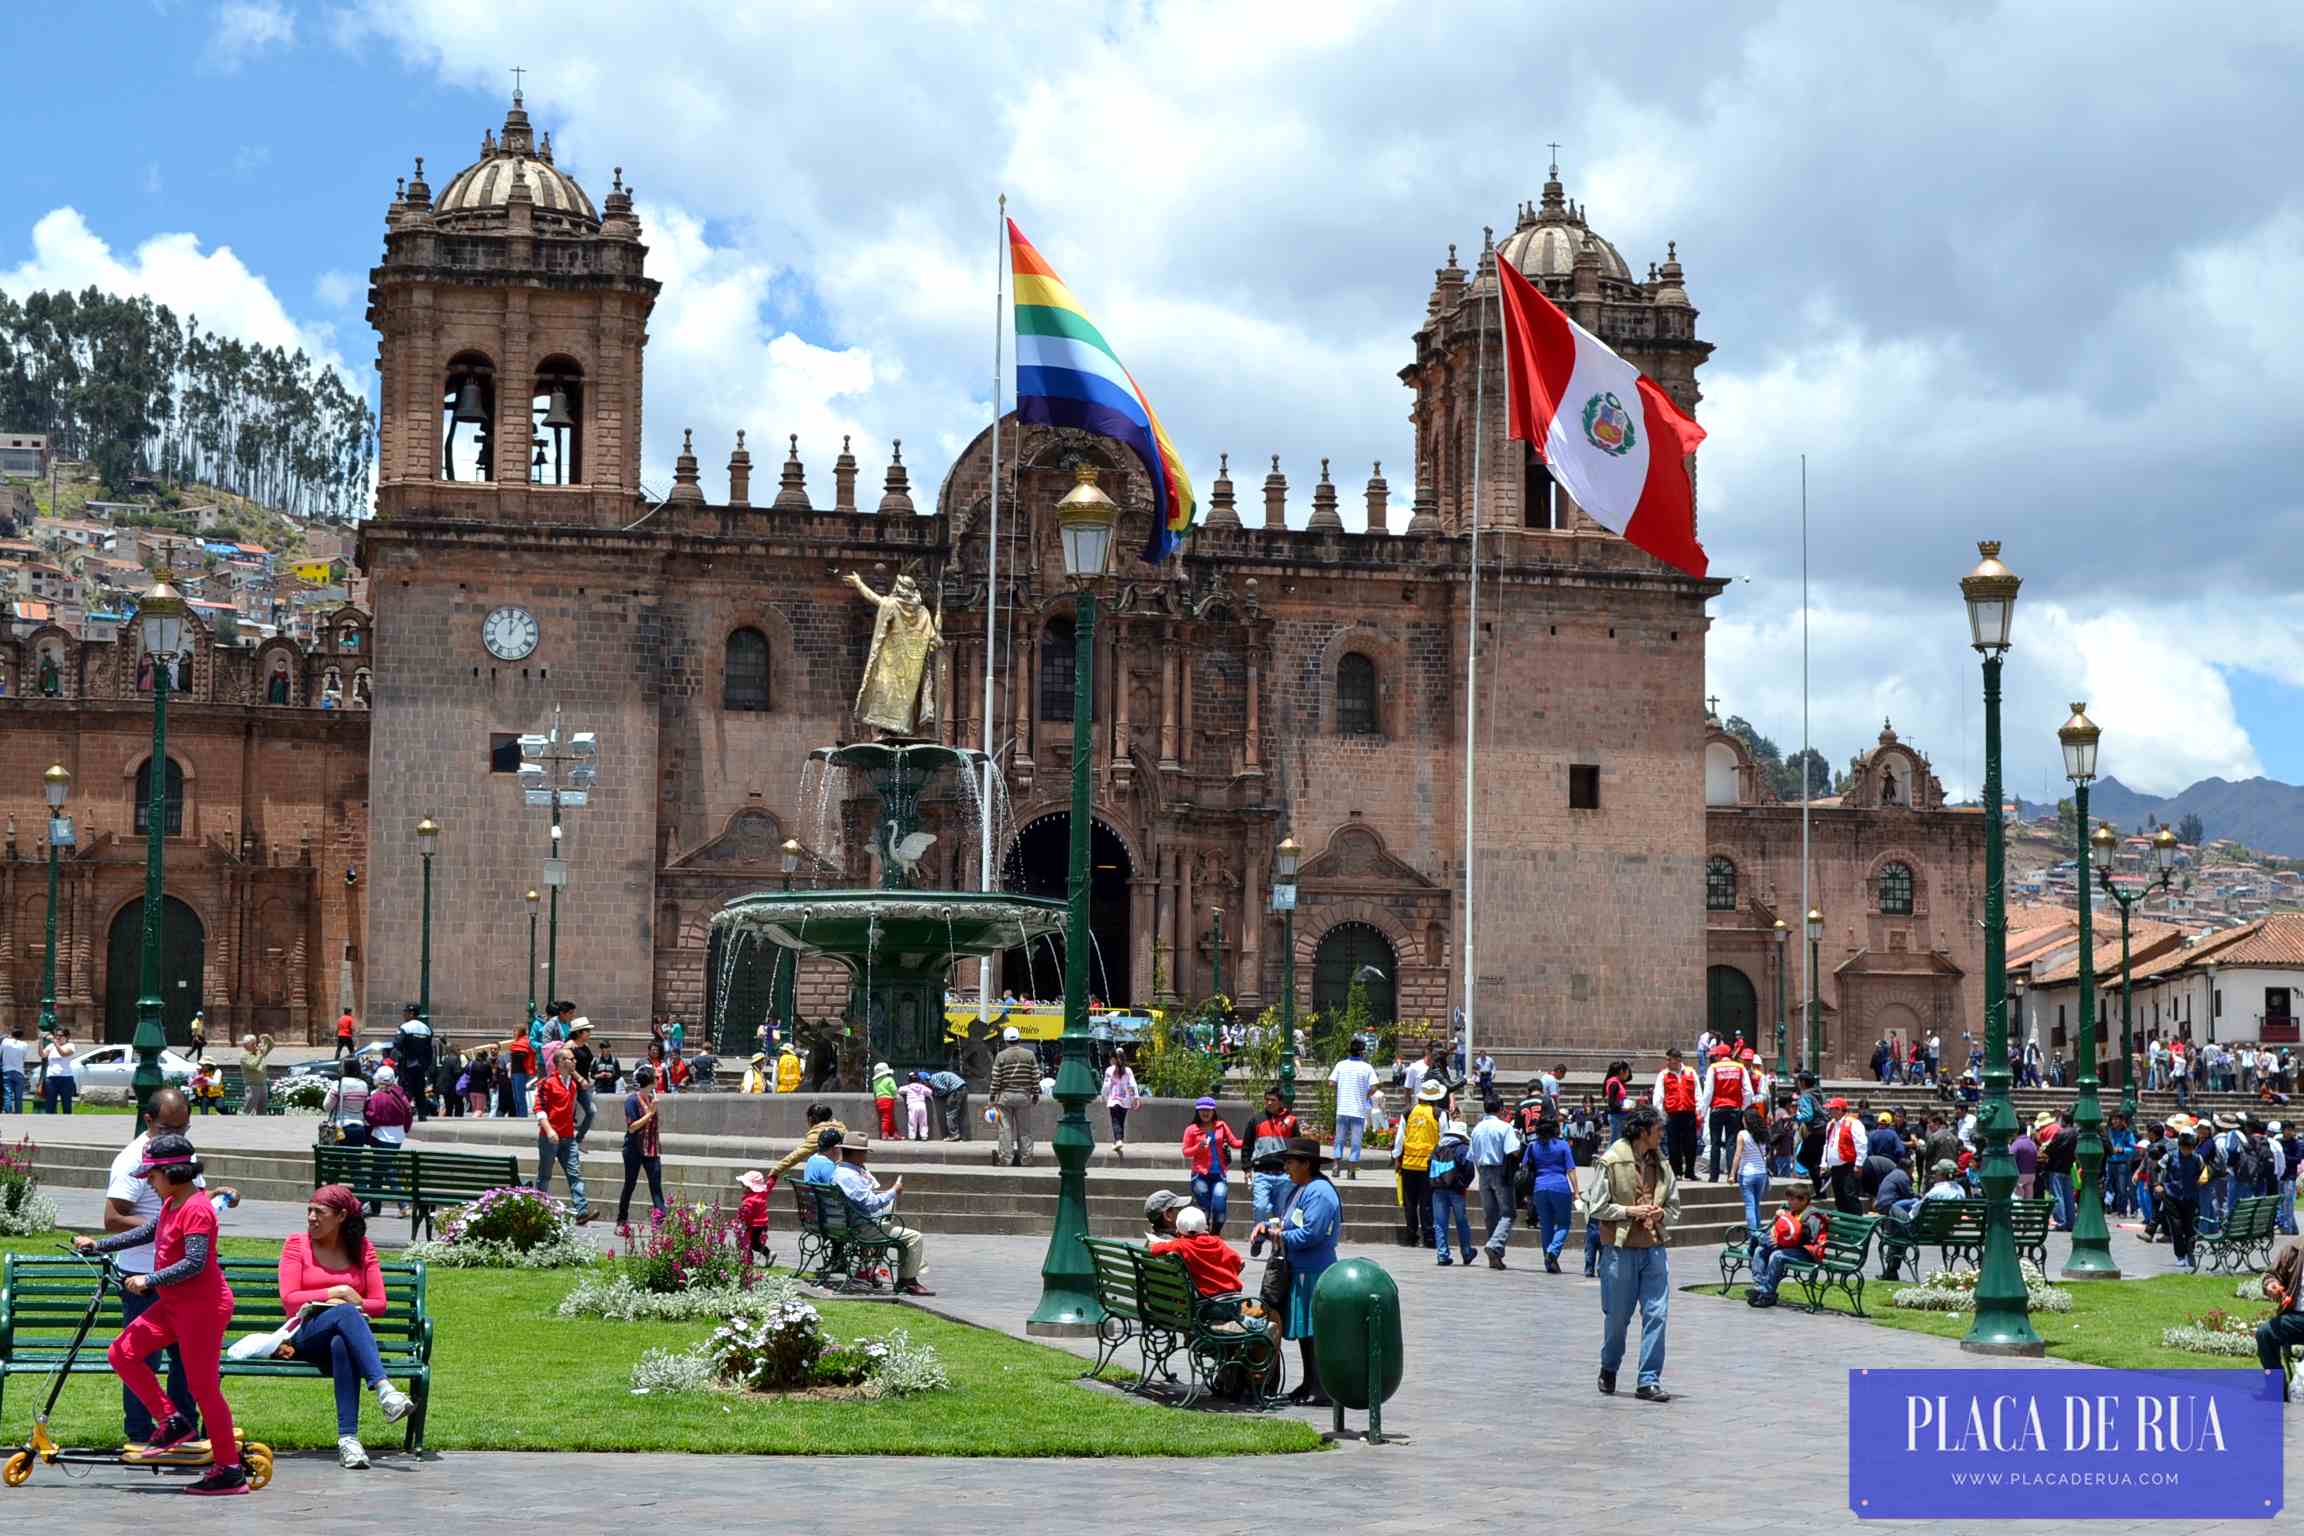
(331, 1272)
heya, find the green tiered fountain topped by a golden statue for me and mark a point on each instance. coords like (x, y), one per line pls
(902, 938)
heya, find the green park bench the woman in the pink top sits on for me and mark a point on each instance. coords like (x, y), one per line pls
(43, 1300)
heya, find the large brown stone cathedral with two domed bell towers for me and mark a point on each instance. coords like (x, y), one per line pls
(1268, 683)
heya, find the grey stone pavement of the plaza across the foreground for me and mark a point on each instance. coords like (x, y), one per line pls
(1499, 1408)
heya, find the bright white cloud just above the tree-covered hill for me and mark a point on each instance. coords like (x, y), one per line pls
(172, 271)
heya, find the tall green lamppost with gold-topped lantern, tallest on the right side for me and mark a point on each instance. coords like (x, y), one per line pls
(2003, 1323)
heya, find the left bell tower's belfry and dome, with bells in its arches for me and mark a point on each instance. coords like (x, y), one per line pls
(513, 321)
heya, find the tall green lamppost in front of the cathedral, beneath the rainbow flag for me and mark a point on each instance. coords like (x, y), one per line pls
(1068, 1295)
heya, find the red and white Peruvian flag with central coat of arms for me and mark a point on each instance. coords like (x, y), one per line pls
(1605, 429)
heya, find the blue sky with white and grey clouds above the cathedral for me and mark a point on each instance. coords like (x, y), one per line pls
(2024, 273)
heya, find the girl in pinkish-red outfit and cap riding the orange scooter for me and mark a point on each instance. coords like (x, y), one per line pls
(192, 1311)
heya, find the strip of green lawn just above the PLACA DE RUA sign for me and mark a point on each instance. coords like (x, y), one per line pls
(2112, 1323)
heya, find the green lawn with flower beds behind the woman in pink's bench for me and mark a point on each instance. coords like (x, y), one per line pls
(513, 1376)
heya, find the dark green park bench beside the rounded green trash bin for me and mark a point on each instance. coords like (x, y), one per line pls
(1151, 1298)
